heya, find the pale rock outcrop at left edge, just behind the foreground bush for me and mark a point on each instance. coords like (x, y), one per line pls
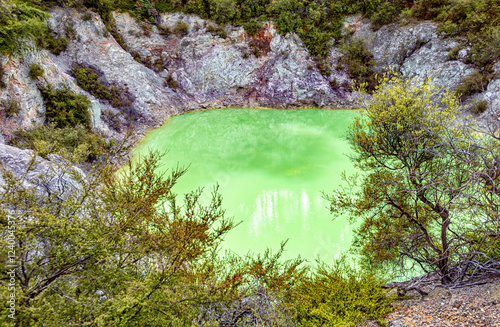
(52, 176)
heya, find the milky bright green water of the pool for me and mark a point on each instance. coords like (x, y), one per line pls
(272, 166)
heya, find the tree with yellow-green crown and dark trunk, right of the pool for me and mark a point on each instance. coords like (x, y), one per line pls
(415, 194)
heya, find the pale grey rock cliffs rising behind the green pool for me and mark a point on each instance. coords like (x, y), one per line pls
(193, 68)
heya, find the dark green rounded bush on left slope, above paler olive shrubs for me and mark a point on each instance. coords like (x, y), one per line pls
(65, 108)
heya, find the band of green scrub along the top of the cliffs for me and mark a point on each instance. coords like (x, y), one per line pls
(318, 23)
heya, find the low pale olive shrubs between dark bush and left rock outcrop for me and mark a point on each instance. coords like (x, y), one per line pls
(76, 144)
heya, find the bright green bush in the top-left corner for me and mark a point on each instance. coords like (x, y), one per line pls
(20, 21)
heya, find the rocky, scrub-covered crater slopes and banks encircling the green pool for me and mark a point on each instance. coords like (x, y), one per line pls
(81, 81)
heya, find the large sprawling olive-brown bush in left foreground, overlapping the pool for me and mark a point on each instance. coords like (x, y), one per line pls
(120, 250)
